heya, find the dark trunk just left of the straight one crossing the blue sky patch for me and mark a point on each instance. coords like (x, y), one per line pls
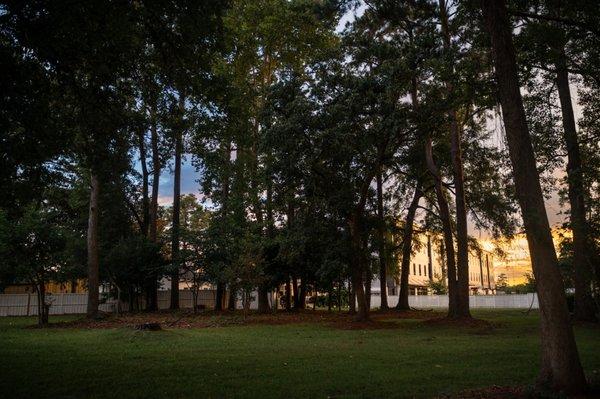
(152, 279)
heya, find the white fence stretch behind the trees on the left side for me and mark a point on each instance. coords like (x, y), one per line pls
(27, 304)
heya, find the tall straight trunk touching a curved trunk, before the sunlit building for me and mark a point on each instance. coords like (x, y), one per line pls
(462, 238)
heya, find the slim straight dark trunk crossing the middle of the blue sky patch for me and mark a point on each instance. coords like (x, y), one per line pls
(177, 210)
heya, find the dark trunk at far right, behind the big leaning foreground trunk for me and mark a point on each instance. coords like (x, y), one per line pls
(585, 308)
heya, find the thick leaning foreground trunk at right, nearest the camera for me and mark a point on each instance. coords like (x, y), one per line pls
(561, 367)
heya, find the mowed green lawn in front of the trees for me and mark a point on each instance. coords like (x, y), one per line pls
(281, 361)
